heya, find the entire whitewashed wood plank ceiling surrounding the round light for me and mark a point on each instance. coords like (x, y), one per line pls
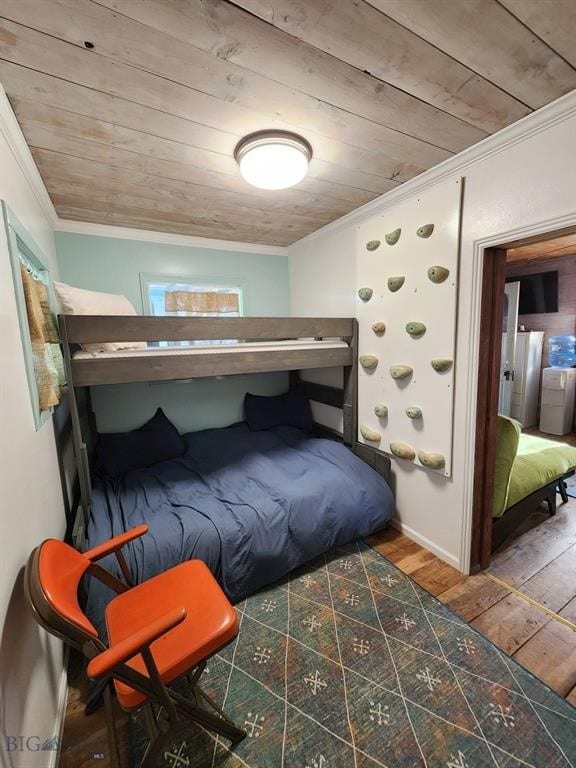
(132, 108)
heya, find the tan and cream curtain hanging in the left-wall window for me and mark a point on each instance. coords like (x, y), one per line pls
(48, 364)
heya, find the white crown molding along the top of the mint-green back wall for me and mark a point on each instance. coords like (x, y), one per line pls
(165, 238)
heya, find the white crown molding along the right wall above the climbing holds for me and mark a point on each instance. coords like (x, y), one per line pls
(556, 112)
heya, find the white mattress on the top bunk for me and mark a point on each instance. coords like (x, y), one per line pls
(219, 349)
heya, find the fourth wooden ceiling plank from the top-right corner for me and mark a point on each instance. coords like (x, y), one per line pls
(235, 36)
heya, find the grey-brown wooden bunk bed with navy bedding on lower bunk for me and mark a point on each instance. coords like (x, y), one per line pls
(302, 495)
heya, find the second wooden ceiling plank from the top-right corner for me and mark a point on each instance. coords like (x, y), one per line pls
(490, 41)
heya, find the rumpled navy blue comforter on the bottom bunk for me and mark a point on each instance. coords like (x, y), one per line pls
(252, 505)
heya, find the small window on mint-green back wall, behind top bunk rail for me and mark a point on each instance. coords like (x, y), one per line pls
(191, 297)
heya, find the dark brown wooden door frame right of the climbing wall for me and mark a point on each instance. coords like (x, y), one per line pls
(496, 370)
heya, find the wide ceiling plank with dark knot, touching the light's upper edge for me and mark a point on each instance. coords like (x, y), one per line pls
(133, 61)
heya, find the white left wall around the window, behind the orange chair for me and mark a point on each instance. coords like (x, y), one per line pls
(32, 683)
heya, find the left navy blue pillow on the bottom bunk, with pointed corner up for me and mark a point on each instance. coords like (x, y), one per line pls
(157, 440)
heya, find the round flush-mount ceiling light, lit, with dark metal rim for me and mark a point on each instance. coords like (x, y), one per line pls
(273, 159)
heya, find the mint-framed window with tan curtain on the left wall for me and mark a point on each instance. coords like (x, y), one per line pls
(36, 316)
